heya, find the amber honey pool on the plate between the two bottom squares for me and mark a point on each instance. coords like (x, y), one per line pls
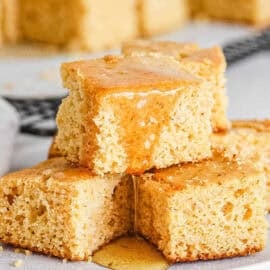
(130, 253)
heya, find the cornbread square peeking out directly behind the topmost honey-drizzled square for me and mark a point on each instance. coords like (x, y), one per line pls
(208, 64)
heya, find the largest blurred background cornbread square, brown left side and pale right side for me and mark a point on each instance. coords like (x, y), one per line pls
(83, 24)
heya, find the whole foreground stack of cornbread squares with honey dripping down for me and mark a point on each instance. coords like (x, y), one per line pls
(144, 146)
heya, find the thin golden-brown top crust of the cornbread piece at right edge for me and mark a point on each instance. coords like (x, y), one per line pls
(260, 126)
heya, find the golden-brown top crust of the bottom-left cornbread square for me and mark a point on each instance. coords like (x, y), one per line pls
(57, 169)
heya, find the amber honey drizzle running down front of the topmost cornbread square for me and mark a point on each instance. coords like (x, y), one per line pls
(141, 125)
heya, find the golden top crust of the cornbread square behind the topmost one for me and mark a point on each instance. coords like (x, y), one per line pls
(175, 49)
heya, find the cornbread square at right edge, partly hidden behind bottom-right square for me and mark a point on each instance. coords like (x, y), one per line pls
(247, 140)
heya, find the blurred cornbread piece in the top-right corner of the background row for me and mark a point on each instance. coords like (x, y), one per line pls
(255, 12)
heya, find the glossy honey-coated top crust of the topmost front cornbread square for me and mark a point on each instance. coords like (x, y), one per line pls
(114, 74)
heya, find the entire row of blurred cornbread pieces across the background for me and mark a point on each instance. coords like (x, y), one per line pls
(98, 25)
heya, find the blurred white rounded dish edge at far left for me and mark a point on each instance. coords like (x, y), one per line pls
(9, 122)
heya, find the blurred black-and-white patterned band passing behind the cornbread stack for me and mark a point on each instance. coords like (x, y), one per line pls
(38, 115)
